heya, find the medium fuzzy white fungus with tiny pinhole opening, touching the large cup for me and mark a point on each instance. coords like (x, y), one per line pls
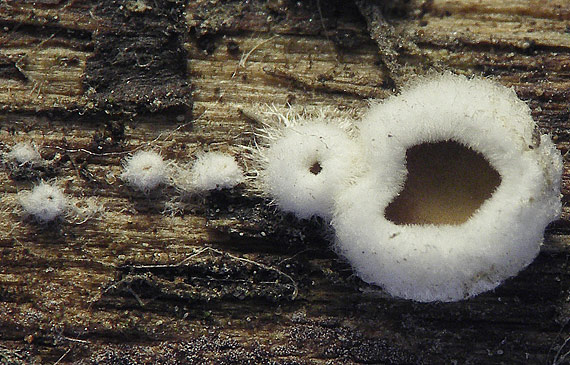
(305, 162)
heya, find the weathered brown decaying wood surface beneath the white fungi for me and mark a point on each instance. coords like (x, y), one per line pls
(229, 279)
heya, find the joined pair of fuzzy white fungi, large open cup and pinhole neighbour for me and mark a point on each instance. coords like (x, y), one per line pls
(453, 190)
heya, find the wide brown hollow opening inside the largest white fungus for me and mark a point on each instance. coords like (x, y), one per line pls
(446, 183)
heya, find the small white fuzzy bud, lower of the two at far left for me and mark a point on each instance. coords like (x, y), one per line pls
(45, 202)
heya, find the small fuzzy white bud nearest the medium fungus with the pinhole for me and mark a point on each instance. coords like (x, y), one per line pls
(215, 171)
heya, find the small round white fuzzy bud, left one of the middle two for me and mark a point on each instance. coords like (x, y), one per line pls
(145, 170)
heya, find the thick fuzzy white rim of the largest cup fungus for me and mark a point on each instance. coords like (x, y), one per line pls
(449, 261)
